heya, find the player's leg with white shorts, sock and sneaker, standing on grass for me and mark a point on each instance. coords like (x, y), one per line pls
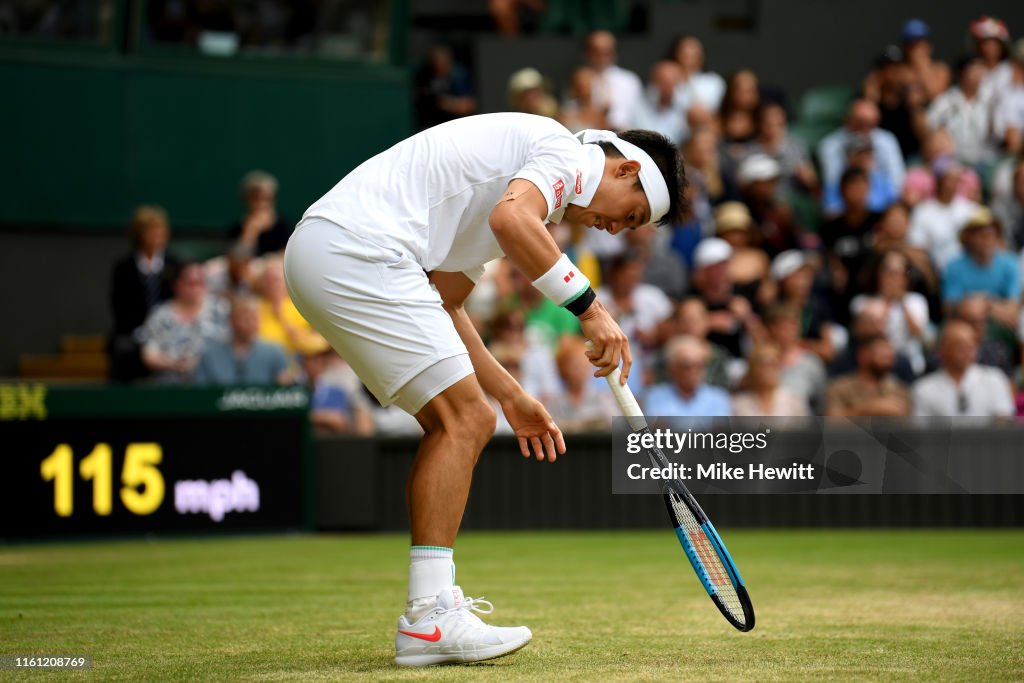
(377, 309)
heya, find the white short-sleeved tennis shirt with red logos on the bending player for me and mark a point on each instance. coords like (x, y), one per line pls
(432, 195)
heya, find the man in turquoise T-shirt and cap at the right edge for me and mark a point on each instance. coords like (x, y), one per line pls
(985, 268)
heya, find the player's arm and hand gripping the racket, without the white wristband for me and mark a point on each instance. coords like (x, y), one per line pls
(518, 223)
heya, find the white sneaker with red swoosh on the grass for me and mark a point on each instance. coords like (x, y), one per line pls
(451, 632)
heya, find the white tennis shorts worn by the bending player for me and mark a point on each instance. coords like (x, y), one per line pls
(376, 308)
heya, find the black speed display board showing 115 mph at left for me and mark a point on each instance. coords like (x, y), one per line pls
(117, 461)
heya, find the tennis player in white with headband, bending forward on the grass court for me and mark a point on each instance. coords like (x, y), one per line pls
(381, 267)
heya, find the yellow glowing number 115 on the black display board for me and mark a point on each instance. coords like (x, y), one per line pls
(140, 472)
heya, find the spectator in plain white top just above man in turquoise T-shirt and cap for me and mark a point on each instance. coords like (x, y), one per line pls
(935, 223)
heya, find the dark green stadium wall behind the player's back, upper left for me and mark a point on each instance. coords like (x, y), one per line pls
(92, 136)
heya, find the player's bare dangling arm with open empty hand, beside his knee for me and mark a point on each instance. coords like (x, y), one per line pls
(530, 420)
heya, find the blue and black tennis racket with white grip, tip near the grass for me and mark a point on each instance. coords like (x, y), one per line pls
(702, 543)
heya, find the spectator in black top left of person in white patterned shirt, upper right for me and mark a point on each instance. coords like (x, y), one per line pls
(901, 99)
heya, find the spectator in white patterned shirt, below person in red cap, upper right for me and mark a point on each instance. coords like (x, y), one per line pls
(967, 115)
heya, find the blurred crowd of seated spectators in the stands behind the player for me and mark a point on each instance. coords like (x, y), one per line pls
(873, 271)
